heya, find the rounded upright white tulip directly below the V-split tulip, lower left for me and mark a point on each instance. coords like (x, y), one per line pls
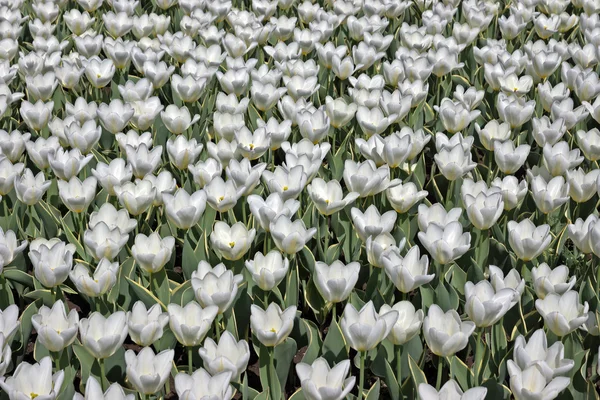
(101, 336)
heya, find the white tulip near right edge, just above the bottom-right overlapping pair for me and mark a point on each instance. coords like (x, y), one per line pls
(564, 313)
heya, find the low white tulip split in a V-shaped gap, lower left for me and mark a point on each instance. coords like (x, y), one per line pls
(99, 282)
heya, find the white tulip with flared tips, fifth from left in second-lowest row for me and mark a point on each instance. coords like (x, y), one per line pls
(191, 323)
